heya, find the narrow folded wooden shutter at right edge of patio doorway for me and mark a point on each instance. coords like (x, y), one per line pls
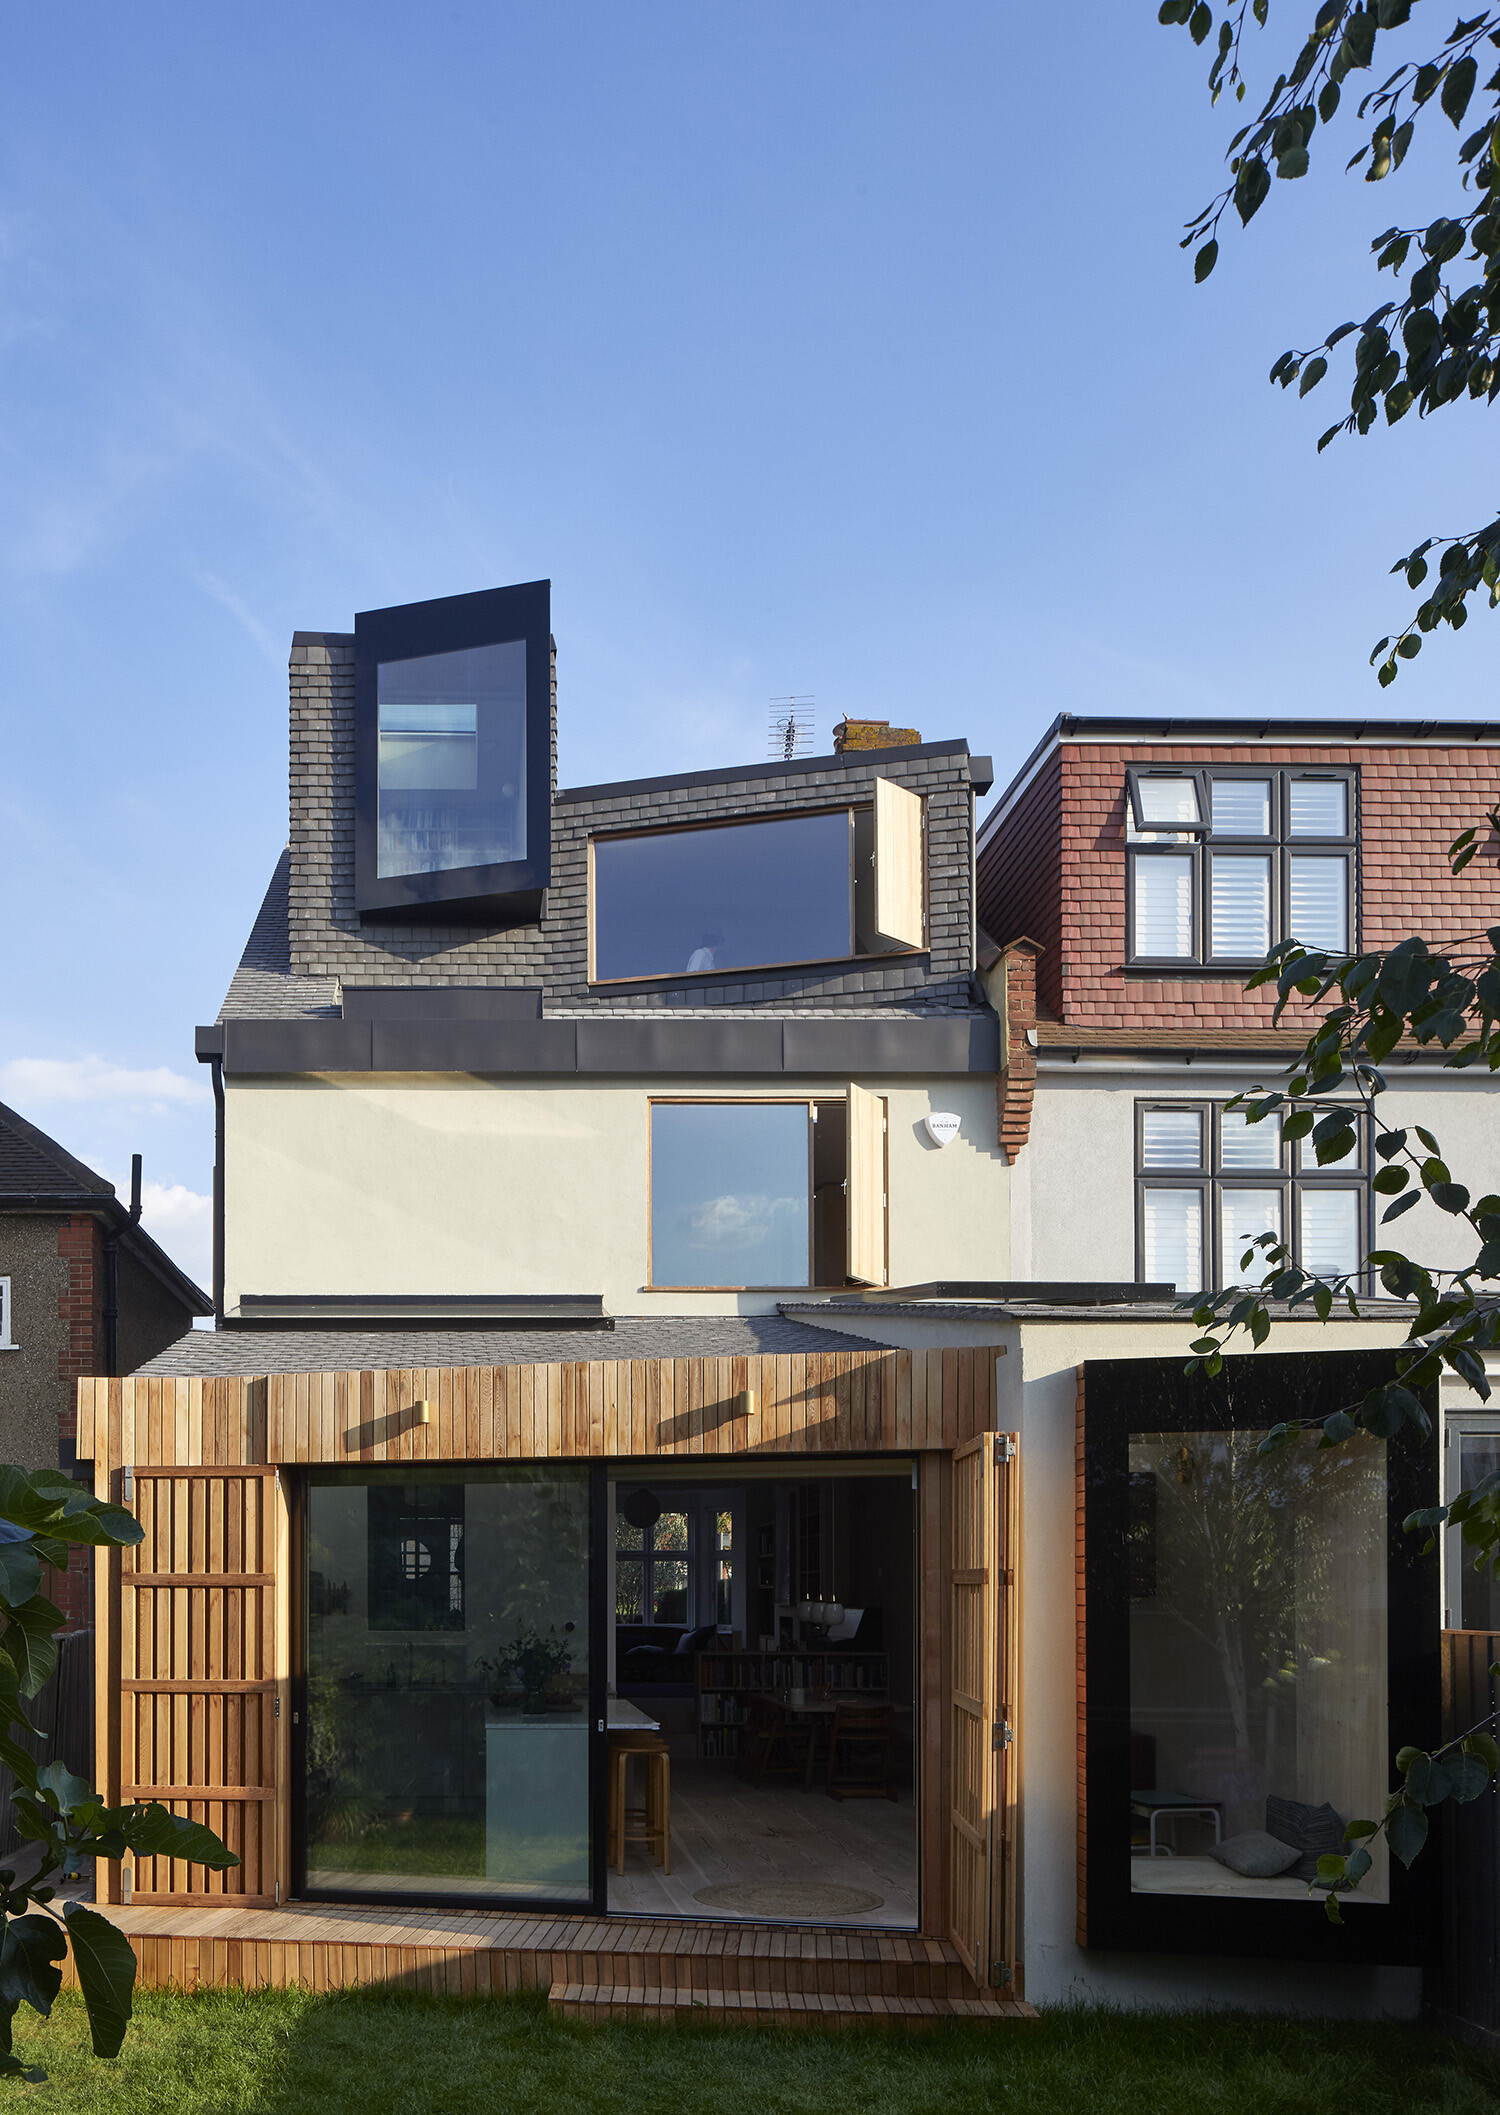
(983, 1710)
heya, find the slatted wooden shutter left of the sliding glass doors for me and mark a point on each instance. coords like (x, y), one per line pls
(200, 1695)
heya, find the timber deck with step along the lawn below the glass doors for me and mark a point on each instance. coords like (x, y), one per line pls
(593, 1968)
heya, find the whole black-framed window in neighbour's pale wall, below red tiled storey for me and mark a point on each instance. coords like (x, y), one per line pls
(1207, 1183)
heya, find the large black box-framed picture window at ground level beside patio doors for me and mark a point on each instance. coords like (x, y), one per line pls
(1260, 1638)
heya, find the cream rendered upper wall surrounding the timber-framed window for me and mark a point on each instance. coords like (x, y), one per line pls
(439, 1183)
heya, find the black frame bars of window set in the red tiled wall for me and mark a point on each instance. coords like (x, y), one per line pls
(1199, 843)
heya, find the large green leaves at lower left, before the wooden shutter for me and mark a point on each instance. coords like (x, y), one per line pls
(43, 1520)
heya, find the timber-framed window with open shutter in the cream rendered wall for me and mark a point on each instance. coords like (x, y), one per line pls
(769, 1196)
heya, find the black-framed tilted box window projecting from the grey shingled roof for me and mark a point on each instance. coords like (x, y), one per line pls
(454, 758)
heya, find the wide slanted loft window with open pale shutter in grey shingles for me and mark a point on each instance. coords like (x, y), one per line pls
(761, 894)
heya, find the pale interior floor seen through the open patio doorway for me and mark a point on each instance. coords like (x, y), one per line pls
(833, 1862)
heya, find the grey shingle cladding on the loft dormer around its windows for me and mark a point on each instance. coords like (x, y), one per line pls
(327, 938)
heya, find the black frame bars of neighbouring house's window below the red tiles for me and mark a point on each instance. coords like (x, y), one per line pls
(1292, 1179)
